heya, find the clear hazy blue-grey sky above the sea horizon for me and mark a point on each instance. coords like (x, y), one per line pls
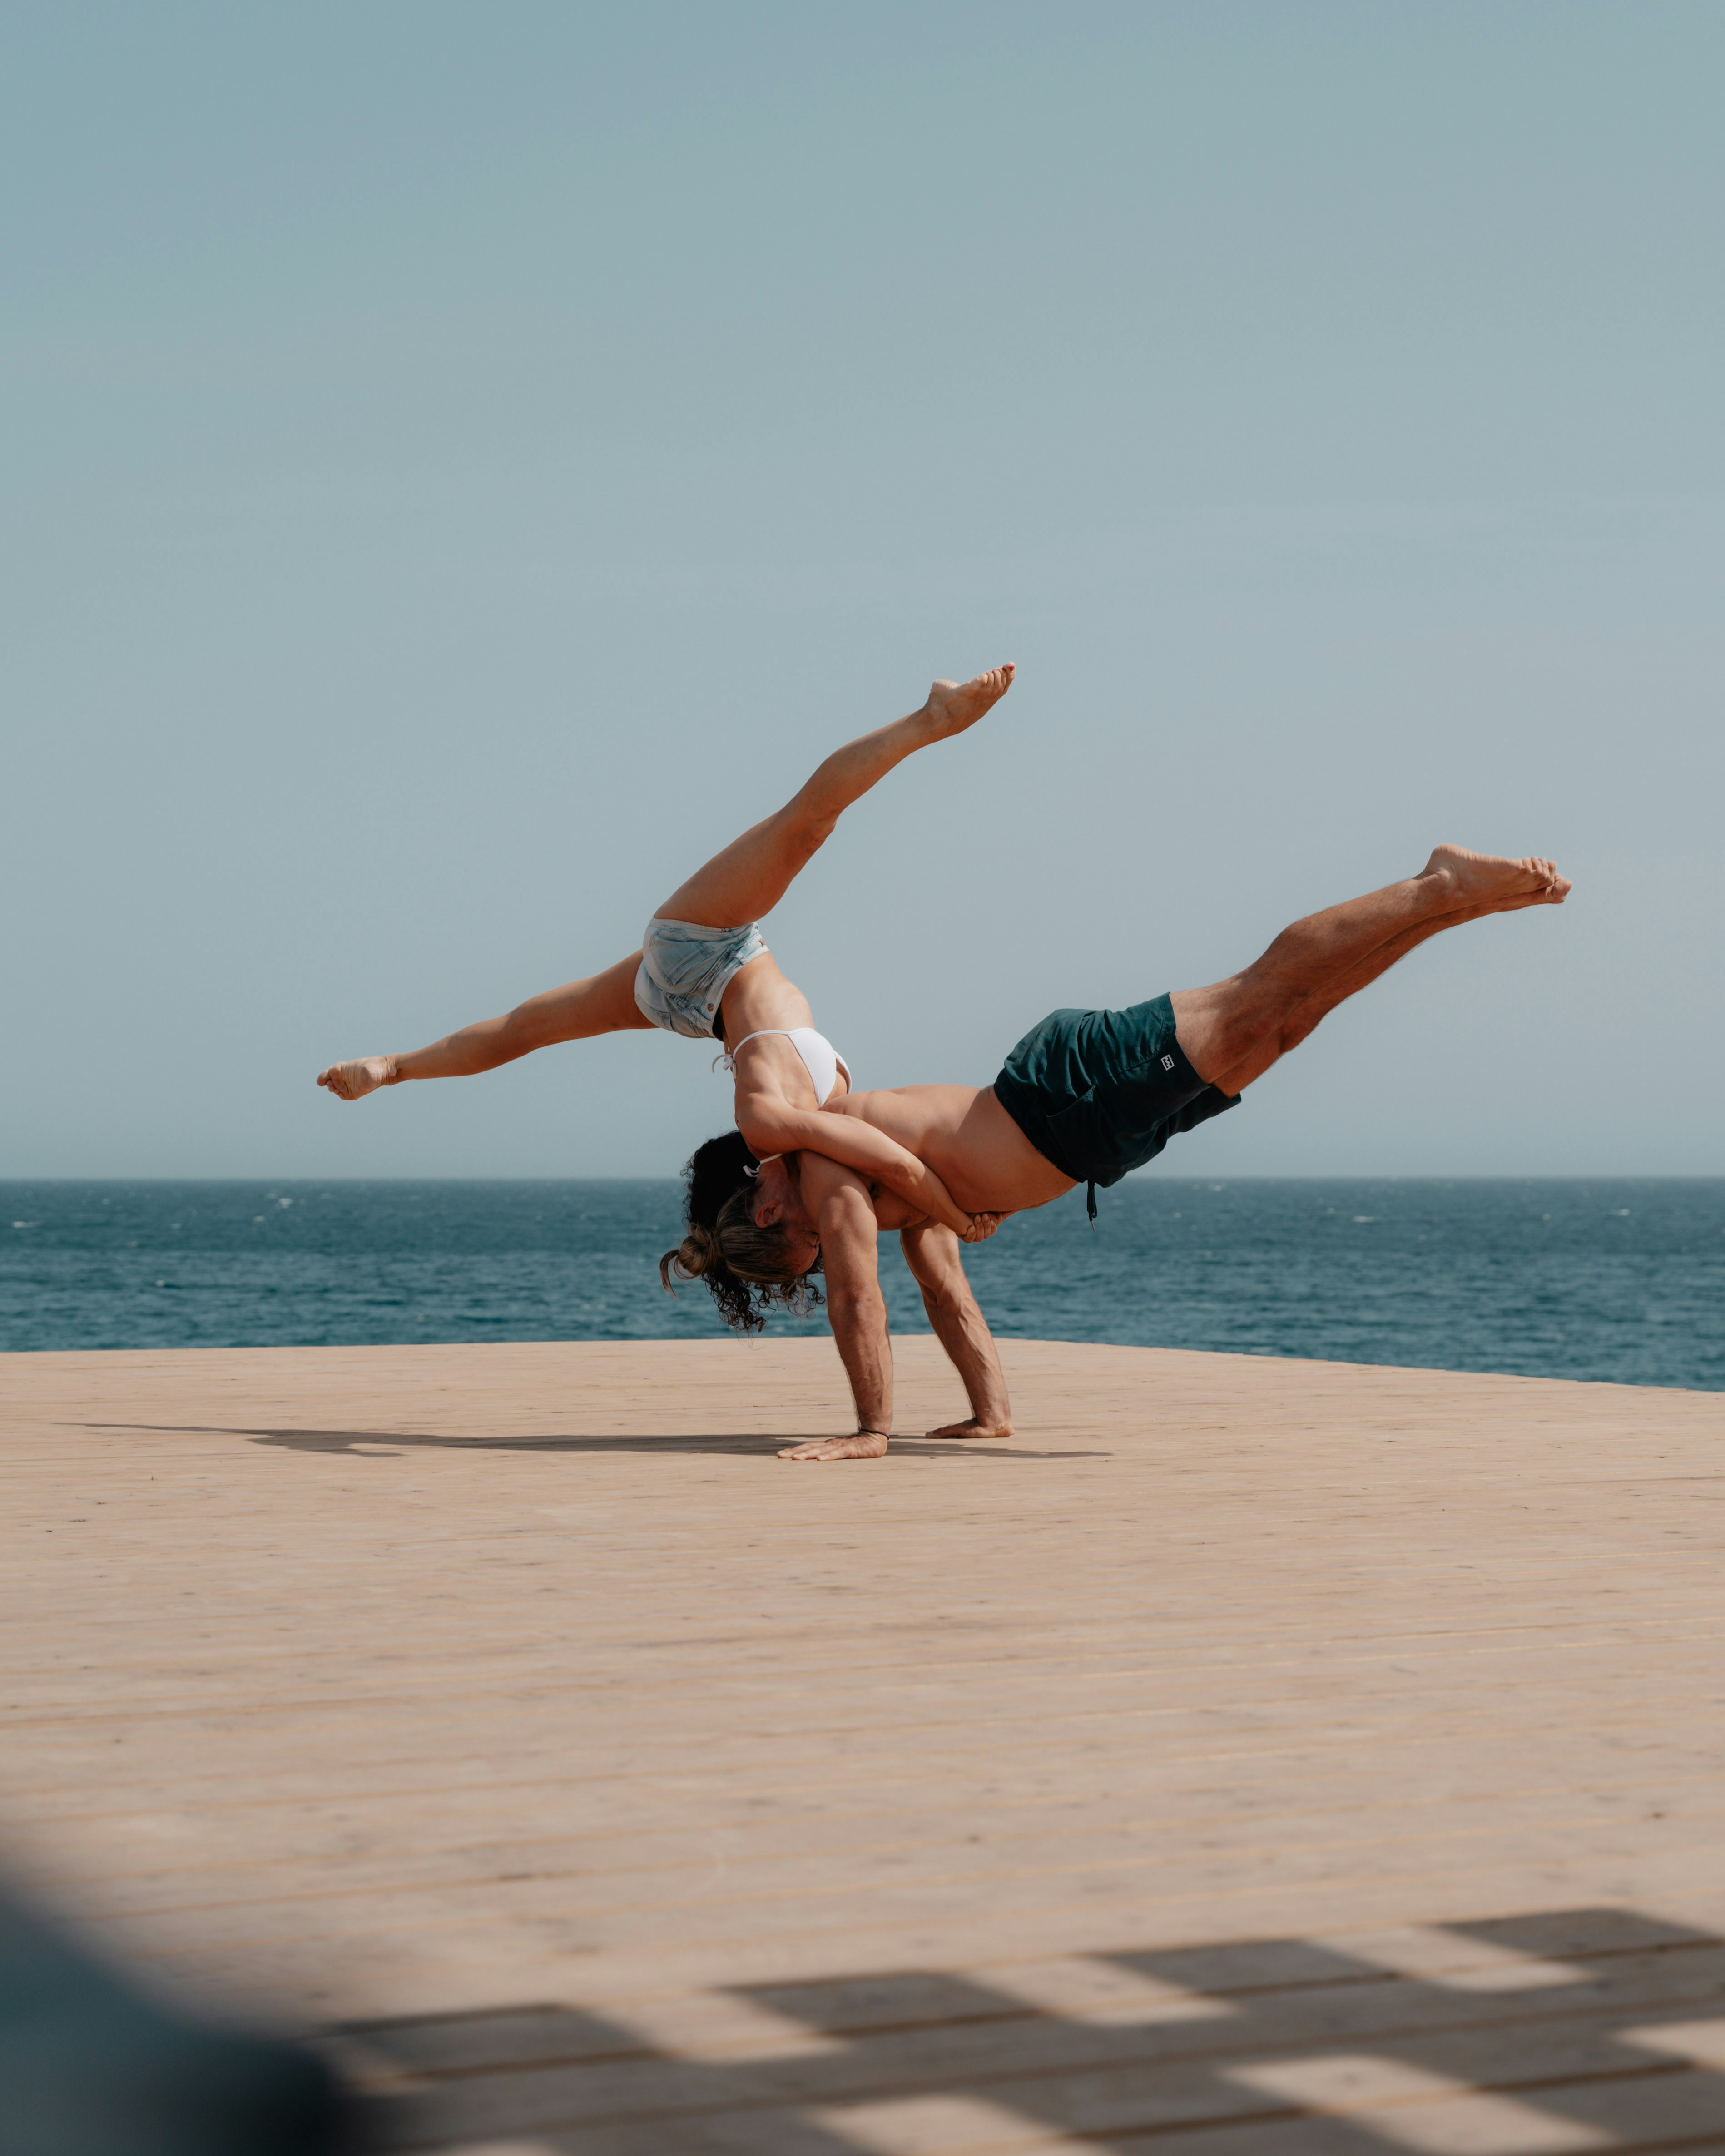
(460, 465)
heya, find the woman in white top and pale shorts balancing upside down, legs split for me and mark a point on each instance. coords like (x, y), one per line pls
(704, 971)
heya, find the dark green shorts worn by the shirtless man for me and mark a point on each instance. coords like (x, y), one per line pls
(1103, 1092)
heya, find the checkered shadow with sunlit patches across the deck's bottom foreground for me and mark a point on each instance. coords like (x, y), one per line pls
(1571, 2030)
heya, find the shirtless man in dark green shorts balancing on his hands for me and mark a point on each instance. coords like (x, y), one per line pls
(1086, 1096)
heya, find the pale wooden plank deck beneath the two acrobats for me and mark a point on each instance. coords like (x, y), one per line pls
(1245, 1760)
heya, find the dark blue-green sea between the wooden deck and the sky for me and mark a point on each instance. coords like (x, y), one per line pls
(1618, 1282)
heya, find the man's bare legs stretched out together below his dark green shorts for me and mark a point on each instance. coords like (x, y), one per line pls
(1237, 1029)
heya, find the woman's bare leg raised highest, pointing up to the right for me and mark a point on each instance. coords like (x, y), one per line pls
(756, 872)
